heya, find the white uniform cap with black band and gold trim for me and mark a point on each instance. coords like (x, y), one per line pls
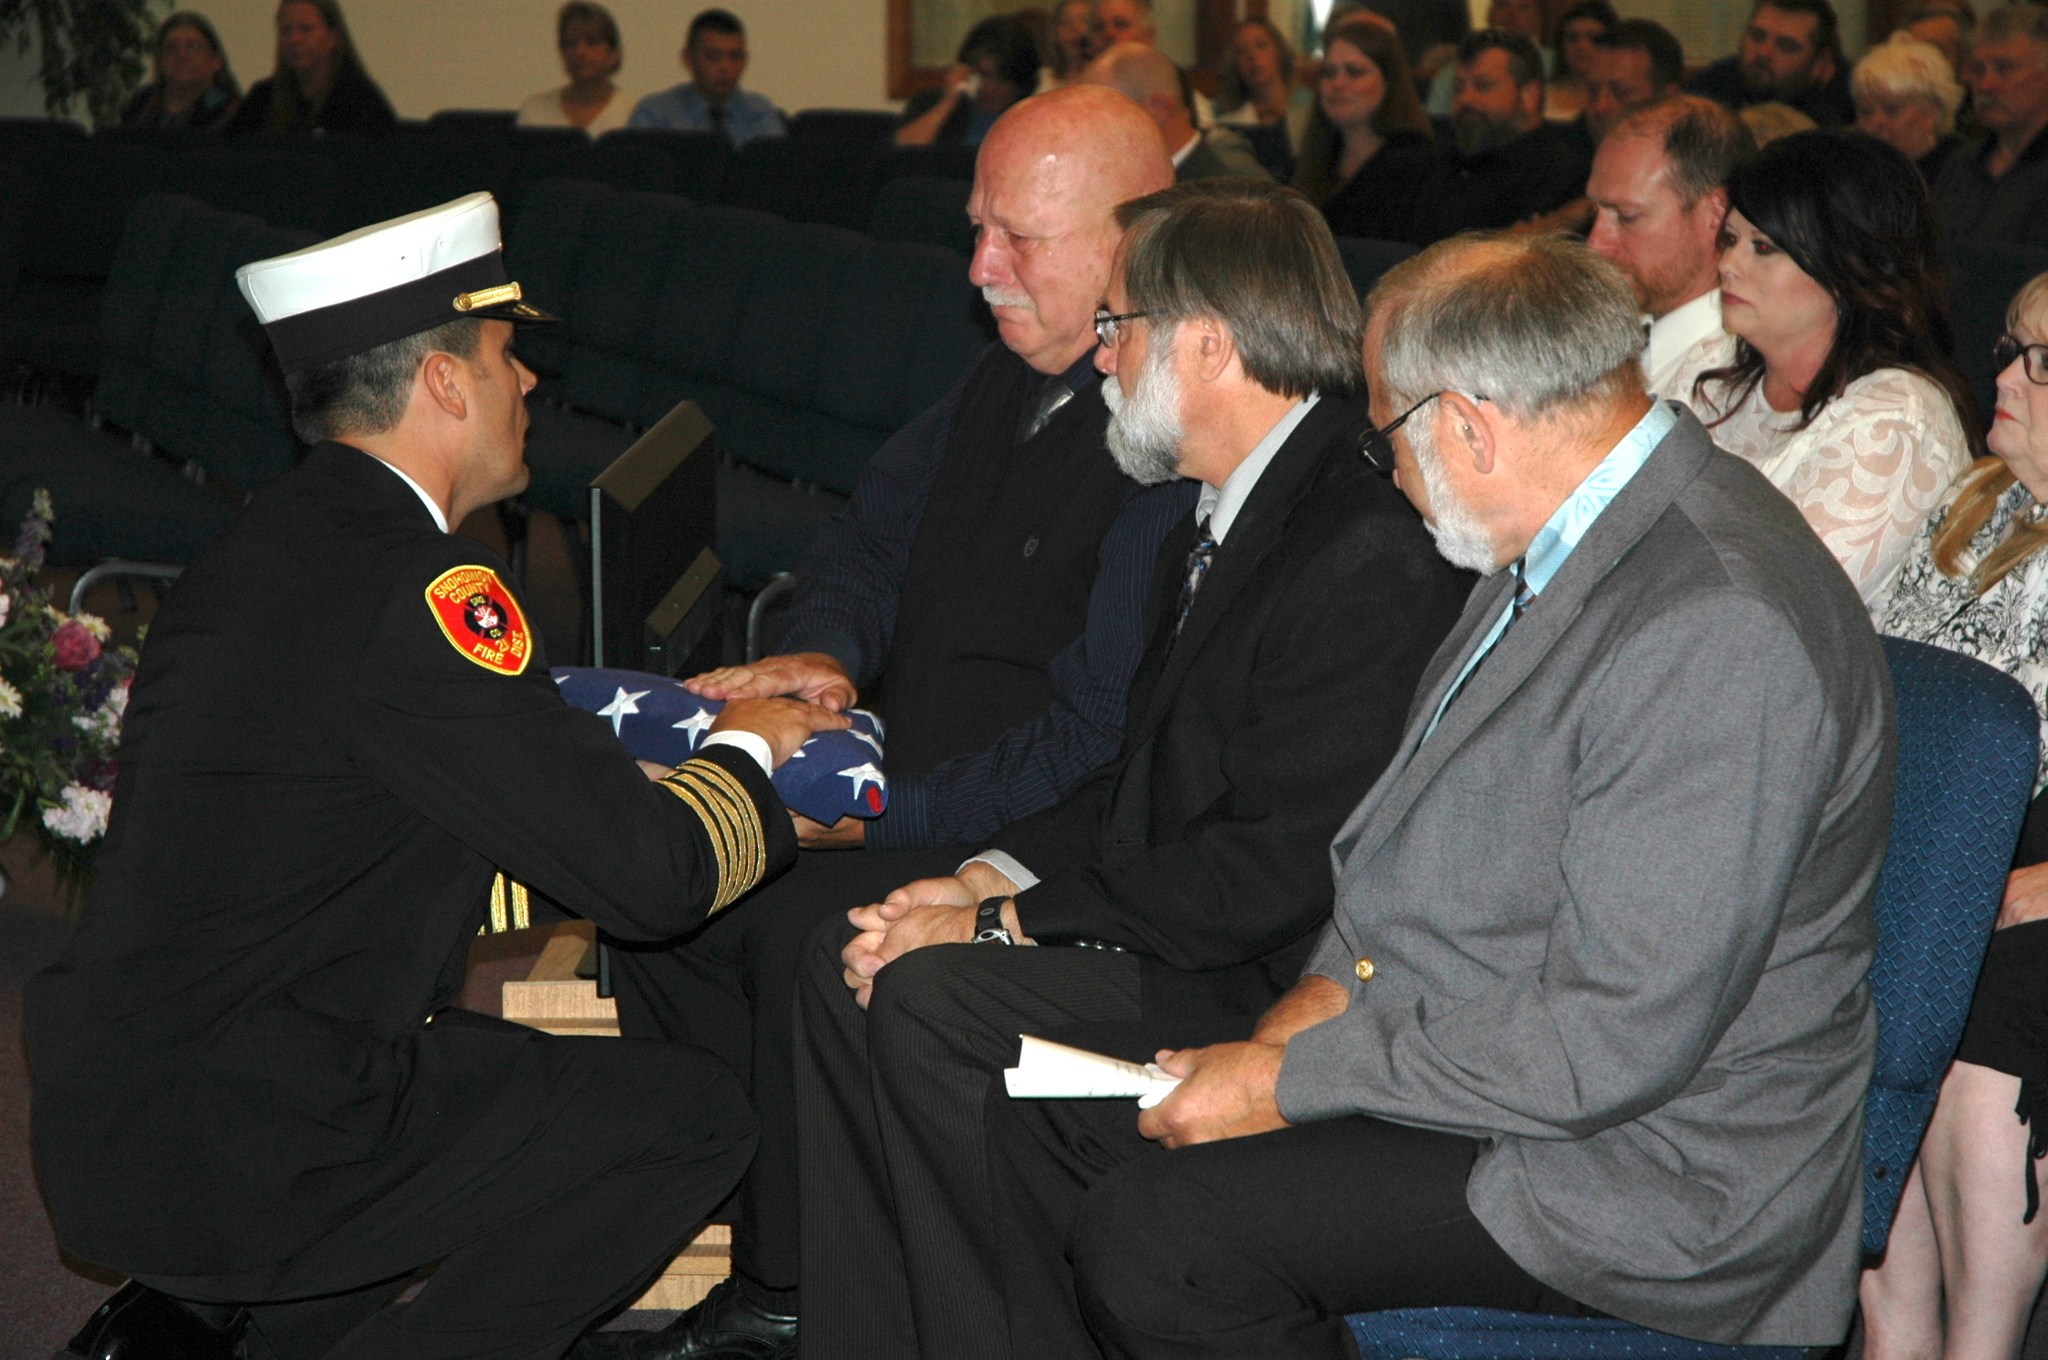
(384, 284)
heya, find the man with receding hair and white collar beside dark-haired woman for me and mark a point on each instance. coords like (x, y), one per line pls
(1660, 187)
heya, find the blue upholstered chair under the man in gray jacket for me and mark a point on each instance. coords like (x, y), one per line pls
(1967, 757)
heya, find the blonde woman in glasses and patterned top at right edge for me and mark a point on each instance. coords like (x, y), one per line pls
(1971, 1246)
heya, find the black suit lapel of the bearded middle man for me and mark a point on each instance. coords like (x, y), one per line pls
(1254, 534)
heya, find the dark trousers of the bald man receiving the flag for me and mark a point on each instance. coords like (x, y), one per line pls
(730, 988)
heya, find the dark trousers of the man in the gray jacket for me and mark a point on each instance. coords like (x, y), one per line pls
(1242, 1248)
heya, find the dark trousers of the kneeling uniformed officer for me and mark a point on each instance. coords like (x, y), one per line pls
(581, 1181)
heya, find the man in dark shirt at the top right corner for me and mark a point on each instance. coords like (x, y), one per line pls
(2000, 192)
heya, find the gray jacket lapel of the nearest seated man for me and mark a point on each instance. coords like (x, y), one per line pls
(1672, 466)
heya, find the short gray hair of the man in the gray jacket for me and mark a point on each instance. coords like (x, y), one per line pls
(1537, 325)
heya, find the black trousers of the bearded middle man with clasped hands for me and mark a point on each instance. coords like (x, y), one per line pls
(902, 1224)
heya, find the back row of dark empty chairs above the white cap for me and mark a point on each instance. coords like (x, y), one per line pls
(73, 196)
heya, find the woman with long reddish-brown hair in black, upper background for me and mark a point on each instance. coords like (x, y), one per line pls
(1369, 144)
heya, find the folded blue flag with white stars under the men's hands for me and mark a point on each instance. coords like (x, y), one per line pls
(835, 775)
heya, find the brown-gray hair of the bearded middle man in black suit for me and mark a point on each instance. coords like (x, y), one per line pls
(1258, 259)
